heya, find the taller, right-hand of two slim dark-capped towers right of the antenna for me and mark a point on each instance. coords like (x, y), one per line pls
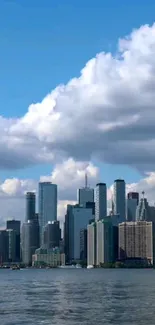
(119, 199)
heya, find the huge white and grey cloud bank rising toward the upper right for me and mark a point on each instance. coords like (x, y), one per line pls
(107, 113)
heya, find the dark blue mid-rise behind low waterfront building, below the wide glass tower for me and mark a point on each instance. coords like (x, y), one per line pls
(52, 234)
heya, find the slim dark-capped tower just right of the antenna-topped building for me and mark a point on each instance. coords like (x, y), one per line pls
(100, 201)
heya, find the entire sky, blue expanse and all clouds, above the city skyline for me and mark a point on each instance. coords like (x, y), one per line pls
(41, 89)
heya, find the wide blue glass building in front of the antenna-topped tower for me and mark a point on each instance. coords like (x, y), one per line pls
(76, 218)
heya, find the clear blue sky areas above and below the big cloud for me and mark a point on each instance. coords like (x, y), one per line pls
(47, 42)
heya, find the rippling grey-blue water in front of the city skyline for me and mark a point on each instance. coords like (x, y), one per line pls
(77, 296)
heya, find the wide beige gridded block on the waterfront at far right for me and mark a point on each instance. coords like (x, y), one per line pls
(136, 241)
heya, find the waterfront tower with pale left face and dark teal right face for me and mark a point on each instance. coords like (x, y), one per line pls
(104, 242)
